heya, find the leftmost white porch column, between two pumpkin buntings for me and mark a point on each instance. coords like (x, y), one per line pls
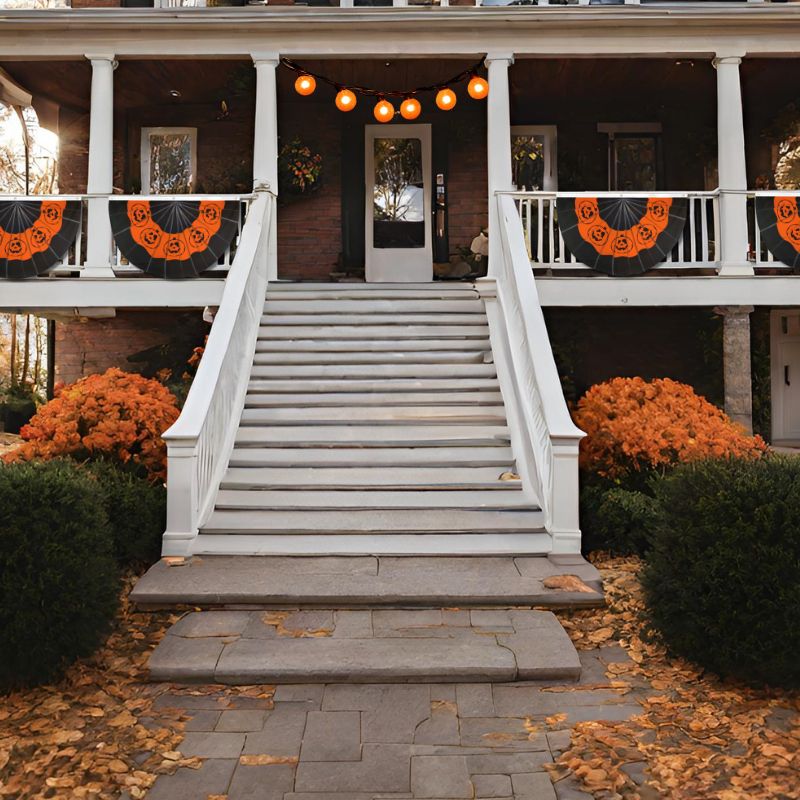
(100, 181)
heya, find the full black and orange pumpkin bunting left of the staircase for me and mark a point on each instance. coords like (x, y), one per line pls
(173, 238)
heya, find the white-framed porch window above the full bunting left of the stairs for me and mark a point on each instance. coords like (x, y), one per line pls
(169, 160)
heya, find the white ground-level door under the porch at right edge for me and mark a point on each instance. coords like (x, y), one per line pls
(786, 376)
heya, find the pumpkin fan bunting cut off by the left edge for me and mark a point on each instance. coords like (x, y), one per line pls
(35, 235)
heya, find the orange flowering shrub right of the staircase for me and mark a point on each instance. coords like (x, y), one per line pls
(633, 425)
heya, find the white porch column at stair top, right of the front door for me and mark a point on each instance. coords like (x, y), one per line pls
(498, 135)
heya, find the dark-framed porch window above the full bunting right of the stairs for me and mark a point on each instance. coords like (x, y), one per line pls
(634, 156)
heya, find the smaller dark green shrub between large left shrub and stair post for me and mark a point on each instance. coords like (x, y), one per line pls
(137, 512)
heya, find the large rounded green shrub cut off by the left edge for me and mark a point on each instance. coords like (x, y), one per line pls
(58, 579)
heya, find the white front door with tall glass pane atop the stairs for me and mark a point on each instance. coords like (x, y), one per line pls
(398, 230)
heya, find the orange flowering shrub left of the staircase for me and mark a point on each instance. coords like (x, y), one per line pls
(118, 416)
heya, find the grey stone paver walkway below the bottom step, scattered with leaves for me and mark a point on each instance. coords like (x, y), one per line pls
(390, 741)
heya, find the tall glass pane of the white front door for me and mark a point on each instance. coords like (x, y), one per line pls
(398, 210)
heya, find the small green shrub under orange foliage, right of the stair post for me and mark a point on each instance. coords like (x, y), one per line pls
(616, 519)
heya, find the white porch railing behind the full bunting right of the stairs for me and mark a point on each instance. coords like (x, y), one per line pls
(697, 248)
